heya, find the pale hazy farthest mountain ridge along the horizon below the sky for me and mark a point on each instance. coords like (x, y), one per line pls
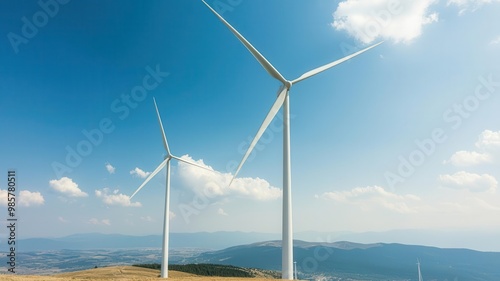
(478, 240)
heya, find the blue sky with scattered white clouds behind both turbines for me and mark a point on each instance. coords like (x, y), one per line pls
(405, 136)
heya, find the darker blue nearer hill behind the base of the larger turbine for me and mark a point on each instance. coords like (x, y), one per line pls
(364, 261)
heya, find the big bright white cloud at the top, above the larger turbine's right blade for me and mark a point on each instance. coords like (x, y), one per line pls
(367, 20)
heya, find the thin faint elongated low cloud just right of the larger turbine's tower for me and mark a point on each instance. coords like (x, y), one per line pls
(374, 196)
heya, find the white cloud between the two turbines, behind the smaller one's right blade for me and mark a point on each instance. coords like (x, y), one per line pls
(213, 184)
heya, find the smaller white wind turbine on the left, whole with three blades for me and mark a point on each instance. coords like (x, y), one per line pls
(166, 162)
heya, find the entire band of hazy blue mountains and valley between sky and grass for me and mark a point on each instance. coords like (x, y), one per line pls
(340, 260)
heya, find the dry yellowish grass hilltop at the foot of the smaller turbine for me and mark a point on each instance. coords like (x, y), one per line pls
(121, 273)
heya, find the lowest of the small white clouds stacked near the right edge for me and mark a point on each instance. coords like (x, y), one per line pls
(469, 181)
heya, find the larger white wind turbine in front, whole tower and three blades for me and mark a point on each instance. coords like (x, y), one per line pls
(282, 100)
